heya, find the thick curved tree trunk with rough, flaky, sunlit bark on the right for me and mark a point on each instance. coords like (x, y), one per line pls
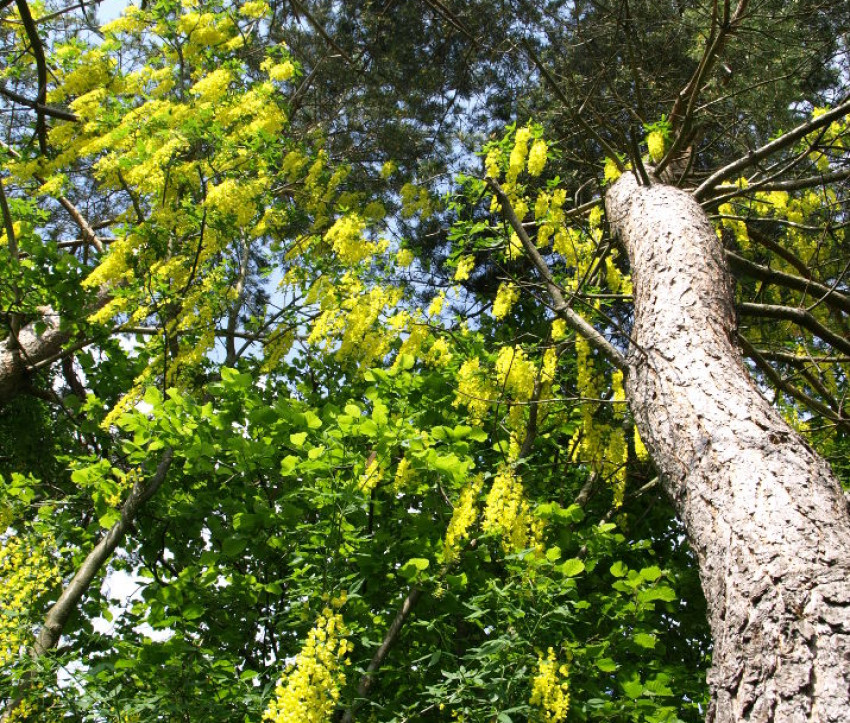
(763, 512)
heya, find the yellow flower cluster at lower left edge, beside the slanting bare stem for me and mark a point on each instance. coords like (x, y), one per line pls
(28, 569)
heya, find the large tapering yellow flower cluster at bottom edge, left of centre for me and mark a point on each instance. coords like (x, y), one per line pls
(309, 690)
